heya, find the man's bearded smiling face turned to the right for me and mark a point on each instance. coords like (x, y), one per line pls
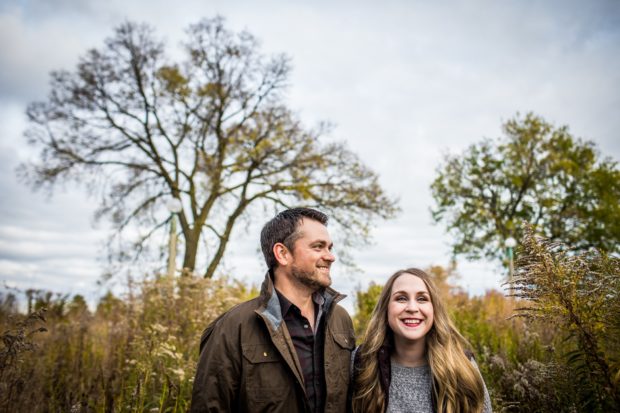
(312, 256)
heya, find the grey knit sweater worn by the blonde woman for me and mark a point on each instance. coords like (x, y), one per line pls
(410, 390)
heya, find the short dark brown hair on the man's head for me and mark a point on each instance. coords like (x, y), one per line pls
(284, 228)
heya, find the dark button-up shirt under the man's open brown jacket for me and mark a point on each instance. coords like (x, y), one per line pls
(309, 347)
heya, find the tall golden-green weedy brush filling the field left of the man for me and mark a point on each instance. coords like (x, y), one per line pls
(133, 353)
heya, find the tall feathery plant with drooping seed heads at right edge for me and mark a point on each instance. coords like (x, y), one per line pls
(578, 294)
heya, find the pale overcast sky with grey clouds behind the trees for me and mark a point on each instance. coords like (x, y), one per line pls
(403, 81)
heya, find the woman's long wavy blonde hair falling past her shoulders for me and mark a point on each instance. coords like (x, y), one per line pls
(457, 385)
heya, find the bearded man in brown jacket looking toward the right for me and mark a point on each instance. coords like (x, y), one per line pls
(289, 349)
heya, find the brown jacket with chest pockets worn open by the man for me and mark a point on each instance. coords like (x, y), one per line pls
(248, 362)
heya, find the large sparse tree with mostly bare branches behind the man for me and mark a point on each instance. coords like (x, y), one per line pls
(211, 130)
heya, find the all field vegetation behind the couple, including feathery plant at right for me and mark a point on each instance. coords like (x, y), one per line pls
(552, 346)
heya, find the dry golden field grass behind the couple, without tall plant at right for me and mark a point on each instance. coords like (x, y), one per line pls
(138, 352)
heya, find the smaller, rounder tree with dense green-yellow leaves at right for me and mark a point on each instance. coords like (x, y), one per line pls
(535, 173)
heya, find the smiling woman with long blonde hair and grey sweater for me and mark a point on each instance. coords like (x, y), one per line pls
(413, 359)
